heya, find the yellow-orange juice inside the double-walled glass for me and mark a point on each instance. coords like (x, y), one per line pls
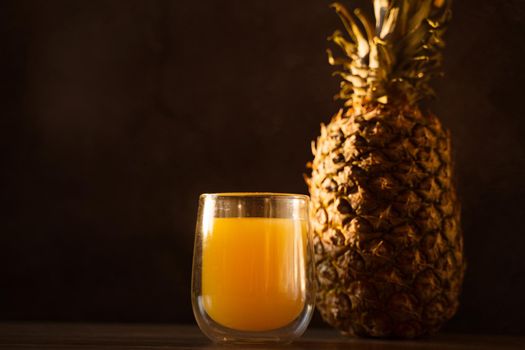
(253, 272)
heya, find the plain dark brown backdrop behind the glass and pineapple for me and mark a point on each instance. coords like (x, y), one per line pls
(116, 114)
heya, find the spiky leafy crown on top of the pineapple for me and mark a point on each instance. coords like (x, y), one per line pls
(397, 55)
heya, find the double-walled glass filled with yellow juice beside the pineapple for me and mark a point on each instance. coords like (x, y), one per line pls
(253, 278)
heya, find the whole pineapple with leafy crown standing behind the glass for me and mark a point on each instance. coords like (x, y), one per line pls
(385, 215)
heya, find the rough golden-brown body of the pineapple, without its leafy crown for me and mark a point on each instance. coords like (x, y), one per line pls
(386, 221)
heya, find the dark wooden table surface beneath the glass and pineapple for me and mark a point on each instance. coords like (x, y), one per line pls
(133, 336)
